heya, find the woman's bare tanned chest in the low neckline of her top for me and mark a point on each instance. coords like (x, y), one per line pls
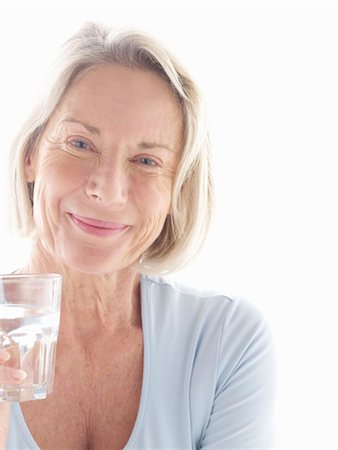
(94, 403)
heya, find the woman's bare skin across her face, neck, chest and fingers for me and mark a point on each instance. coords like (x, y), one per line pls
(109, 154)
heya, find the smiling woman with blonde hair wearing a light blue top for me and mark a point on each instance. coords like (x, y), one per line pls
(112, 180)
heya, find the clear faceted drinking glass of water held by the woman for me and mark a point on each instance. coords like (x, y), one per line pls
(29, 325)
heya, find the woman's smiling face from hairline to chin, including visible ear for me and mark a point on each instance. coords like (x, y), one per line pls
(104, 169)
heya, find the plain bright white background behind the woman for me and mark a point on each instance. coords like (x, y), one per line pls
(268, 71)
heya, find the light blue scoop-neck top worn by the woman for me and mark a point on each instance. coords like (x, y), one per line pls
(209, 374)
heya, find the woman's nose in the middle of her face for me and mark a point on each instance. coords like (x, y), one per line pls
(107, 183)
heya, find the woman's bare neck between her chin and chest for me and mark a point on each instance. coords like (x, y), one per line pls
(93, 304)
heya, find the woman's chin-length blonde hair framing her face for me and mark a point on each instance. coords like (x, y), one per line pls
(192, 196)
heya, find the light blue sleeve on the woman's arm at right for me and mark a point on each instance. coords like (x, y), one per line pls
(243, 411)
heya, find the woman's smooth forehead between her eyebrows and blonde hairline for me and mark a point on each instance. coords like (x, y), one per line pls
(115, 97)
